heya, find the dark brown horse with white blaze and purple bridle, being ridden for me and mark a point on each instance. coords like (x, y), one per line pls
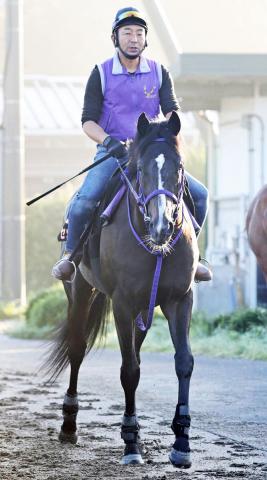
(148, 256)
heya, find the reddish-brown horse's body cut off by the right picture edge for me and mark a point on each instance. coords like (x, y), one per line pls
(256, 226)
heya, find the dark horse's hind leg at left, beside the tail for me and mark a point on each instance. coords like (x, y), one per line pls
(76, 345)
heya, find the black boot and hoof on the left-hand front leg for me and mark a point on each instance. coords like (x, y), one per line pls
(130, 434)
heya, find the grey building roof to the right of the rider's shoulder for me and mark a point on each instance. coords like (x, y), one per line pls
(202, 80)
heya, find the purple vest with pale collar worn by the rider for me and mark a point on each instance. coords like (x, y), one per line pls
(127, 95)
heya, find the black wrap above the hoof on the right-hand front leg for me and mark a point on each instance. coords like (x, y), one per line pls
(180, 427)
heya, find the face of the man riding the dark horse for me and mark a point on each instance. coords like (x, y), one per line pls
(132, 39)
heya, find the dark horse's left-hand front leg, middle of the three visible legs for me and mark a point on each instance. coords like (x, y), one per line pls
(130, 374)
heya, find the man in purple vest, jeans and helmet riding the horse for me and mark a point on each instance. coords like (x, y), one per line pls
(117, 92)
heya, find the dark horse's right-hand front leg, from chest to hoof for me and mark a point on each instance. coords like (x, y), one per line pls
(179, 316)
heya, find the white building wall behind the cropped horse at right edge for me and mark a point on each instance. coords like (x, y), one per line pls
(241, 159)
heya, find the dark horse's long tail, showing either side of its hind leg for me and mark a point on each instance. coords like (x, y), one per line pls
(95, 329)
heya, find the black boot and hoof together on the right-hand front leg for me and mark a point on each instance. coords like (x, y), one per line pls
(180, 452)
